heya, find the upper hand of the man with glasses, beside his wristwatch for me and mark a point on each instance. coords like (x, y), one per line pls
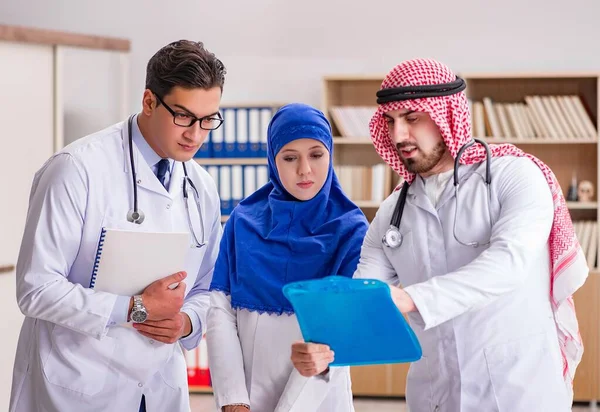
(162, 302)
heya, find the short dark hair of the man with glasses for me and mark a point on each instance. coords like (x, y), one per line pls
(186, 64)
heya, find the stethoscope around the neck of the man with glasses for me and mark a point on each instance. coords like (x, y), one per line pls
(137, 216)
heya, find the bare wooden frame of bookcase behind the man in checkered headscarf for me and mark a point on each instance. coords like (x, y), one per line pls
(565, 155)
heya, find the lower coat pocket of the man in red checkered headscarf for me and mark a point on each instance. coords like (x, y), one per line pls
(526, 375)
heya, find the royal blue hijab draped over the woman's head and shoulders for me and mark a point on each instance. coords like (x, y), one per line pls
(272, 239)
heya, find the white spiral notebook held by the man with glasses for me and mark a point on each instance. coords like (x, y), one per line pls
(127, 261)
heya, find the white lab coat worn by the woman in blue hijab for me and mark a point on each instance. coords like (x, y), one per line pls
(249, 359)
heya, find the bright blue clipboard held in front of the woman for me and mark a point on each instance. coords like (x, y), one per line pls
(356, 318)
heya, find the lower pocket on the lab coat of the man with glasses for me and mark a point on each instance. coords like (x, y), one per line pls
(78, 362)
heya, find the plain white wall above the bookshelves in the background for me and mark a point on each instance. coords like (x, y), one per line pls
(278, 50)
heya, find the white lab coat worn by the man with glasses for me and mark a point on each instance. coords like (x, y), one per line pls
(68, 357)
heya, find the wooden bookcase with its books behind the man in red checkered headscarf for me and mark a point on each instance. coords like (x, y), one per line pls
(569, 146)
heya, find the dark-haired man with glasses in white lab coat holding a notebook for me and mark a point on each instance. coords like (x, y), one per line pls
(74, 353)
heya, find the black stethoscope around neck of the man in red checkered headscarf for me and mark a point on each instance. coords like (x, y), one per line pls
(393, 238)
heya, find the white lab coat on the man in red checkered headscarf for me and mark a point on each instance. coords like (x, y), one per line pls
(484, 318)
